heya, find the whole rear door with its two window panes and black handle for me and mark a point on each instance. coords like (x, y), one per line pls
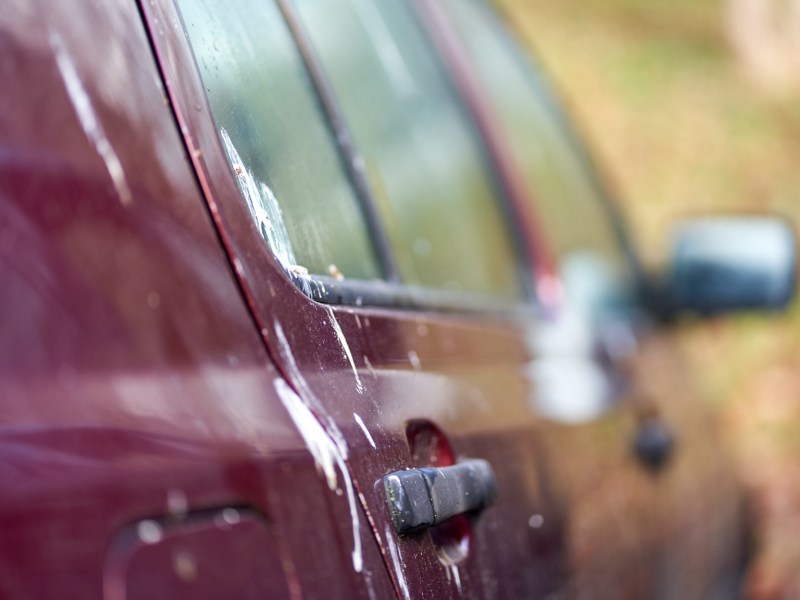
(386, 282)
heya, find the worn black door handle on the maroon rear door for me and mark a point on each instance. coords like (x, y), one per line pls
(423, 497)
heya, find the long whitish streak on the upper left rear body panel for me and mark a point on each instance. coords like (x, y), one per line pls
(86, 115)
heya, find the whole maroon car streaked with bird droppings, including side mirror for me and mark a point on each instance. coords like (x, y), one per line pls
(322, 299)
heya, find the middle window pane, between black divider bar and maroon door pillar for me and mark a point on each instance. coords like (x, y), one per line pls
(423, 159)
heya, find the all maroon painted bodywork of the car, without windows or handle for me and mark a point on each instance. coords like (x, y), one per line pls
(169, 394)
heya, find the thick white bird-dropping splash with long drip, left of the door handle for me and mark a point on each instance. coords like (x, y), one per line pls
(326, 453)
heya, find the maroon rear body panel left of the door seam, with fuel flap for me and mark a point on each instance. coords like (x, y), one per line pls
(136, 390)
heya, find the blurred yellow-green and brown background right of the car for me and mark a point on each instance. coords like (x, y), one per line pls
(693, 106)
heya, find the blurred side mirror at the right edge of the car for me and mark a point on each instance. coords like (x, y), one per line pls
(727, 264)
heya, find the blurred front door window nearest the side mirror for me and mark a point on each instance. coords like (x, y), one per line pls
(575, 218)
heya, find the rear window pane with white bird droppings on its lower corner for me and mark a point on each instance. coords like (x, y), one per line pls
(276, 138)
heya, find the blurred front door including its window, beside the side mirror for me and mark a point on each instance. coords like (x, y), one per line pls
(643, 521)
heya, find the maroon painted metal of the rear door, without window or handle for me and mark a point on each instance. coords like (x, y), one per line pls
(384, 368)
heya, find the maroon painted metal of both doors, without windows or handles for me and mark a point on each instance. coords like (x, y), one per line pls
(381, 369)
